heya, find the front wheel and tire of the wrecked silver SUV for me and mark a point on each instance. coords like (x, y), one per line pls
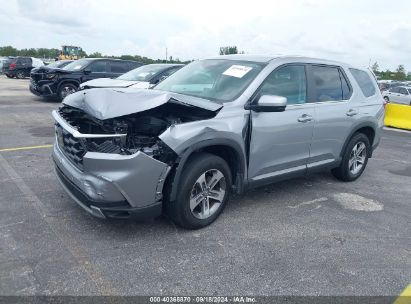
(189, 213)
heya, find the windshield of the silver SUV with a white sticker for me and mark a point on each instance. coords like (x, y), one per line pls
(215, 79)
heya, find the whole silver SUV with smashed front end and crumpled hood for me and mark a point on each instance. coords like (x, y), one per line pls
(216, 126)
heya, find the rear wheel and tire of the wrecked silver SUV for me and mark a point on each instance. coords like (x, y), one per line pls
(349, 169)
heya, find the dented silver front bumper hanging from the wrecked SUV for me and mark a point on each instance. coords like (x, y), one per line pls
(112, 185)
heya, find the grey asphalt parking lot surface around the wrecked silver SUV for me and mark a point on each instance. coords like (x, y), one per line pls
(307, 236)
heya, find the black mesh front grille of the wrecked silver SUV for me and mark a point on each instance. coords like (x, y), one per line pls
(73, 148)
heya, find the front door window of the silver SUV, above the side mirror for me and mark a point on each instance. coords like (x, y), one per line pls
(287, 81)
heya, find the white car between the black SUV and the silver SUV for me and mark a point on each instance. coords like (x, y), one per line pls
(143, 77)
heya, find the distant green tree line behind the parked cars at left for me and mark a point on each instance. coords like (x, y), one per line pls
(53, 53)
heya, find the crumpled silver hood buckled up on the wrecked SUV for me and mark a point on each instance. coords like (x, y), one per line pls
(106, 103)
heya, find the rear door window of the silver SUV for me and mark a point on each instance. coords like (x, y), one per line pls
(328, 84)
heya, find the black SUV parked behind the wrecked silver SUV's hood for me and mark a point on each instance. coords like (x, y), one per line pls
(52, 82)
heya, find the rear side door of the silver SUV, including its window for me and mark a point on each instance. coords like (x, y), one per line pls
(330, 91)
